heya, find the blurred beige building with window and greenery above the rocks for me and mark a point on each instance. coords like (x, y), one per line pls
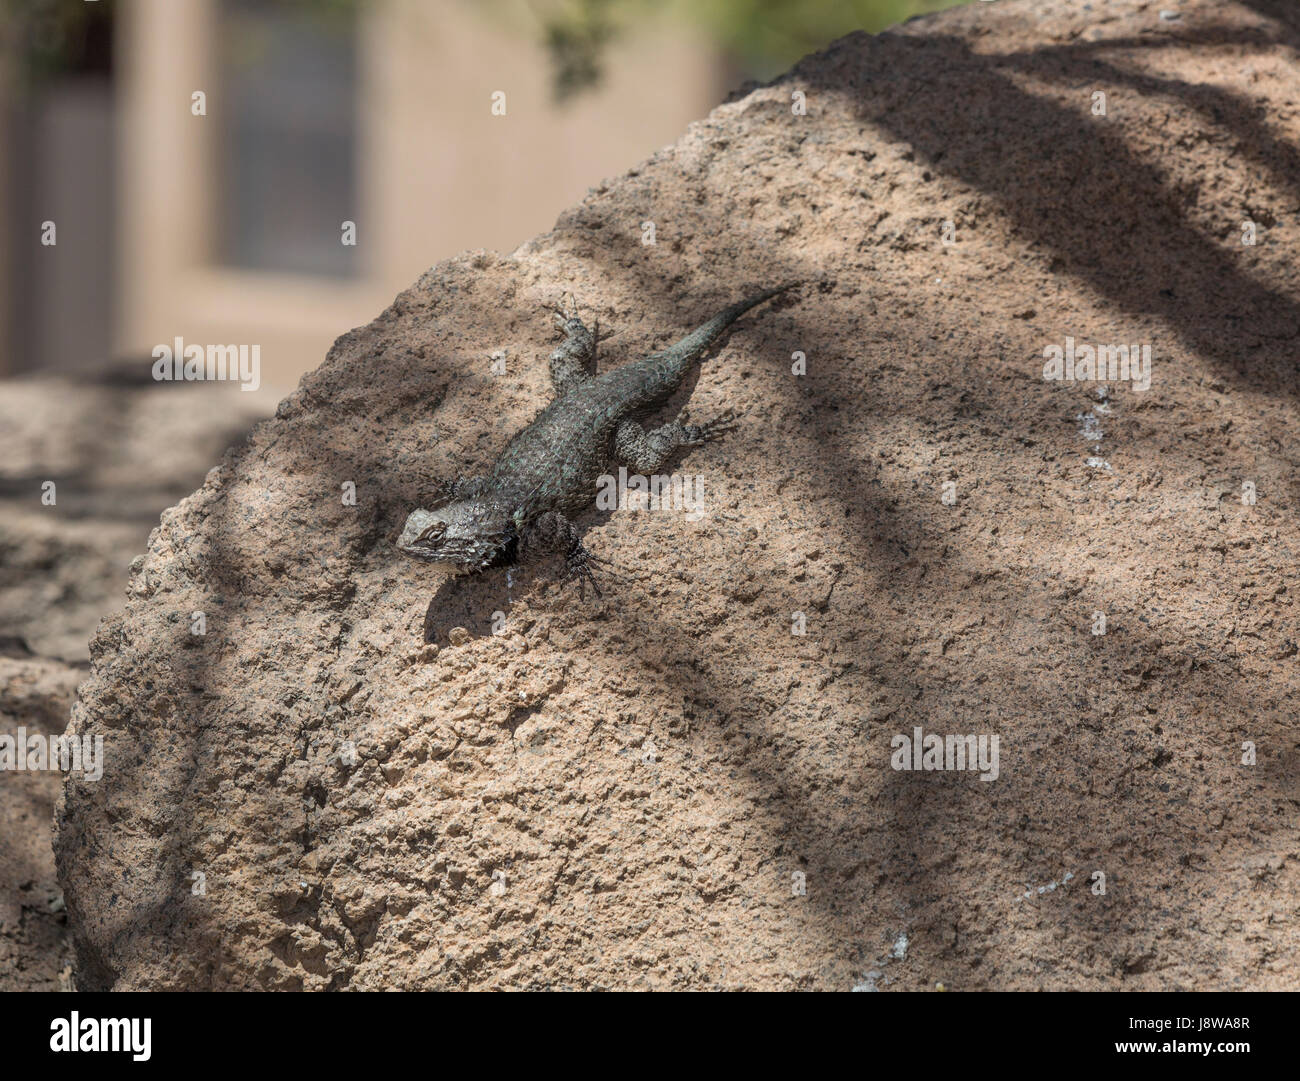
(219, 219)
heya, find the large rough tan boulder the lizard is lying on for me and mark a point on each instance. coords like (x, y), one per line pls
(630, 793)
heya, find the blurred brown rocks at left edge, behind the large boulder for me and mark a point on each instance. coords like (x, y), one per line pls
(119, 449)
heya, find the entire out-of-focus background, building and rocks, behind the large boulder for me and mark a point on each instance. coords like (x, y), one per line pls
(185, 170)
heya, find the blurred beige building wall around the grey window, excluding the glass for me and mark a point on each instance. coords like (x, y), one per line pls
(439, 173)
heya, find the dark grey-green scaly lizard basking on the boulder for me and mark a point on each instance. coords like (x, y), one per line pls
(549, 472)
